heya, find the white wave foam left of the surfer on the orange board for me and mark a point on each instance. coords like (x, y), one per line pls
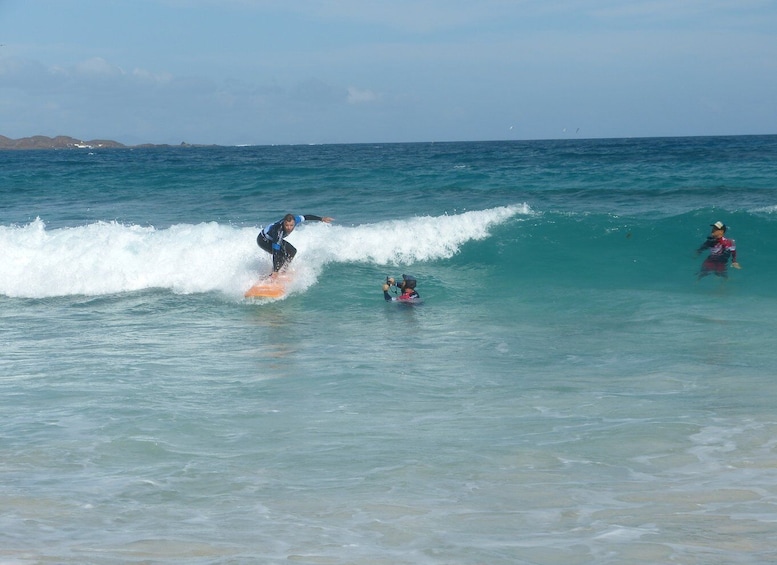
(106, 258)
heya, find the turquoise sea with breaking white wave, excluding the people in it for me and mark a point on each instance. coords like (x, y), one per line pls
(567, 393)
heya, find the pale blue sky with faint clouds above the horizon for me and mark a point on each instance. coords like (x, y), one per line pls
(262, 72)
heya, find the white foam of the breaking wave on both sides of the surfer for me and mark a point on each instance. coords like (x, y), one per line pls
(108, 257)
